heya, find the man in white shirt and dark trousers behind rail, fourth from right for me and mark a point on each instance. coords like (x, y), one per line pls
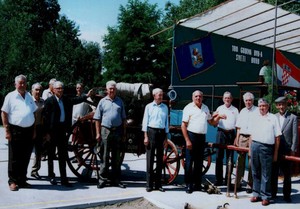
(225, 136)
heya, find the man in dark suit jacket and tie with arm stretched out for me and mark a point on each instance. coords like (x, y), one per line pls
(57, 120)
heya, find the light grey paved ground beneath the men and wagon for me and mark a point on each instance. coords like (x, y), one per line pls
(83, 195)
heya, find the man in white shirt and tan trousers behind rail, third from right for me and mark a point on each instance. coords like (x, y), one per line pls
(243, 139)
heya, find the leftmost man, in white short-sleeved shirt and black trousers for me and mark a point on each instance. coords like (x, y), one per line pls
(18, 120)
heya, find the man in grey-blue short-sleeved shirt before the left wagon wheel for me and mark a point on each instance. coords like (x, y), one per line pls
(110, 129)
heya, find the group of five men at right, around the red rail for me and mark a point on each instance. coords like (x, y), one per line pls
(268, 137)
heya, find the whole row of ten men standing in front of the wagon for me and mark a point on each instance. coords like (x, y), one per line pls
(267, 136)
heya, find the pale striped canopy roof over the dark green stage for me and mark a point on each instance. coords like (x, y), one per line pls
(252, 21)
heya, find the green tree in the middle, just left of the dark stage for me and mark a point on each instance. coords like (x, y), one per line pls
(131, 54)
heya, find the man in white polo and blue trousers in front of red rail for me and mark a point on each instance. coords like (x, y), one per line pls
(265, 138)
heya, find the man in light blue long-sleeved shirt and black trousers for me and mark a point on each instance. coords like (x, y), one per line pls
(155, 127)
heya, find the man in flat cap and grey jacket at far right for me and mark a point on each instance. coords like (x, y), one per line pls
(288, 146)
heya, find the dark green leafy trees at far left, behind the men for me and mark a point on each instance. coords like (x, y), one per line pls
(37, 42)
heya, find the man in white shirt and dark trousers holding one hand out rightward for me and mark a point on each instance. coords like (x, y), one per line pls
(195, 117)
